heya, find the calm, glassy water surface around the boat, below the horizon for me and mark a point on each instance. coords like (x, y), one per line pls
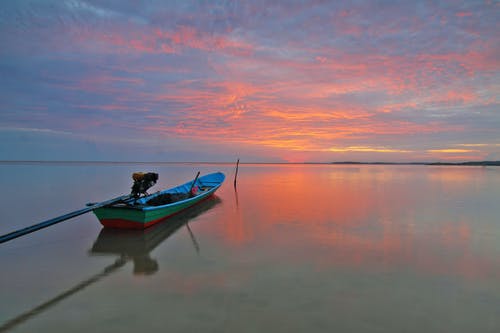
(298, 248)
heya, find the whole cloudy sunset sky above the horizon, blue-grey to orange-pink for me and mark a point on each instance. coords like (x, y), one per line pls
(263, 81)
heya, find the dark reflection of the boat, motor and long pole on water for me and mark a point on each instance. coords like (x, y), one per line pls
(134, 245)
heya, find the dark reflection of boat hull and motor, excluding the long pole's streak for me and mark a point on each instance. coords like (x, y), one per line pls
(136, 245)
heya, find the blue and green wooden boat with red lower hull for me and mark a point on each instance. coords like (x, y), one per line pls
(151, 209)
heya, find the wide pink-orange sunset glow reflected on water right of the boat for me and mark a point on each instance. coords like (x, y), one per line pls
(359, 216)
